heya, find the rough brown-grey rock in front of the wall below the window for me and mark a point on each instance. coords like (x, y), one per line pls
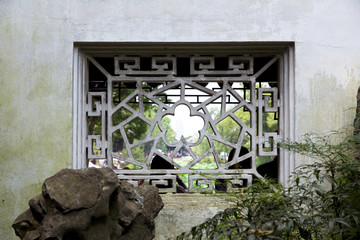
(90, 204)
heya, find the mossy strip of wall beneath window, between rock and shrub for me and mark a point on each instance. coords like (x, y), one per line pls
(183, 211)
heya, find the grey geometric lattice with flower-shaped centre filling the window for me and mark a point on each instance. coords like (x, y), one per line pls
(225, 92)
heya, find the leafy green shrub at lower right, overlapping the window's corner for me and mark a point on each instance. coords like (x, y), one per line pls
(322, 200)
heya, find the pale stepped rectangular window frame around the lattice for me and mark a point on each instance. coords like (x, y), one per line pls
(283, 49)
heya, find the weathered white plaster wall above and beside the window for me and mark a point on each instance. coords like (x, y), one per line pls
(36, 50)
